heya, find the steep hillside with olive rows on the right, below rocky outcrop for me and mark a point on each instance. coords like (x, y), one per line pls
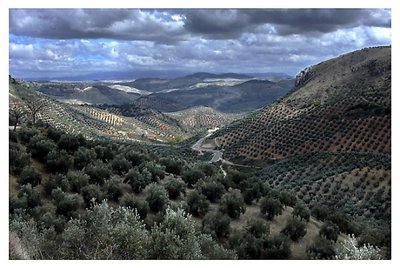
(329, 139)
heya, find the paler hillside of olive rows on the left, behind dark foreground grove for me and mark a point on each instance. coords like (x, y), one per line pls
(91, 121)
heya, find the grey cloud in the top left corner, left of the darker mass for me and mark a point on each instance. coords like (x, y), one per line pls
(124, 24)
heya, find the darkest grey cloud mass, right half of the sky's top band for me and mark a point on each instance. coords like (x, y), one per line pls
(223, 24)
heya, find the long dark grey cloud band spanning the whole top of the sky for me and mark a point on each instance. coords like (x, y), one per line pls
(166, 26)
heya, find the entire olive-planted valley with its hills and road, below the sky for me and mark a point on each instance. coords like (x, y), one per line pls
(249, 168)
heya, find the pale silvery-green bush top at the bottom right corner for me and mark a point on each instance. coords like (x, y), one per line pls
(348, 250)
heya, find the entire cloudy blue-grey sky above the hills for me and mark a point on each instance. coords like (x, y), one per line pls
(131, 43)
